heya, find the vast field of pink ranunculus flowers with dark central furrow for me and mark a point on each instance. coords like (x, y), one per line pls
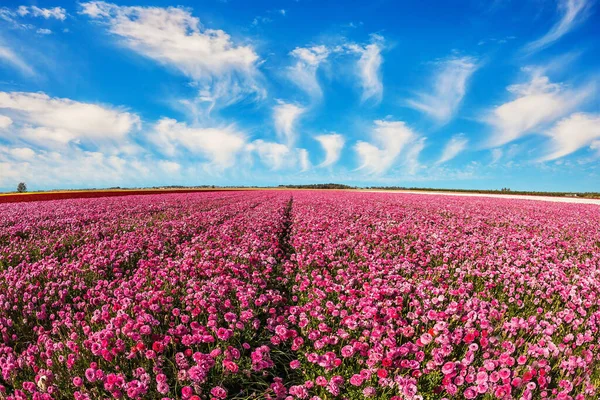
(299, 294)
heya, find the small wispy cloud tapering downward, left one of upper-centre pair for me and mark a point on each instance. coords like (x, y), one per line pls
(304, 72)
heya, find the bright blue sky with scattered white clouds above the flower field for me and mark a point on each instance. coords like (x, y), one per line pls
(464, 94)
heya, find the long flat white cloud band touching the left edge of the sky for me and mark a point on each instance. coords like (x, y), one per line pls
(44, 120)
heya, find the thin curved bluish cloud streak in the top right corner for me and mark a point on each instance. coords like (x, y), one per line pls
(572, 13)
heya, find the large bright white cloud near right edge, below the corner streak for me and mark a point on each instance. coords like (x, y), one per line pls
(536, 104)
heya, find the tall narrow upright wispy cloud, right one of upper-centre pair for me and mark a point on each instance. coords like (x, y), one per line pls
(369, 68)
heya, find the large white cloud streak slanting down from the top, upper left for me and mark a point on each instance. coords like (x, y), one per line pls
(224, 70)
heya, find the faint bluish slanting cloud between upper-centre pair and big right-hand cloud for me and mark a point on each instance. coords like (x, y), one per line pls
(449, 87)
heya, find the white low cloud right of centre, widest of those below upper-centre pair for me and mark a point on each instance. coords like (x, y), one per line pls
(390, 139)
